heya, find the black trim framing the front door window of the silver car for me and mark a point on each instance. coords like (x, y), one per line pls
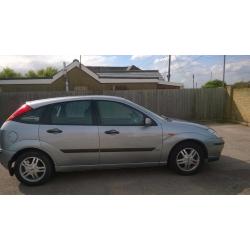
(98, 116)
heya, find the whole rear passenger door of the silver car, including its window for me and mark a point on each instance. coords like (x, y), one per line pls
(70, 133)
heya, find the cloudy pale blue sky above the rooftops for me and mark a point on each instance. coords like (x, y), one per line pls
(183, 67)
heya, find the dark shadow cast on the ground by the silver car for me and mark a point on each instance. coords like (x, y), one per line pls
(226, 176)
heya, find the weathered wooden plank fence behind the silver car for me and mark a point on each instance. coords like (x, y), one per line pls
(189, 104)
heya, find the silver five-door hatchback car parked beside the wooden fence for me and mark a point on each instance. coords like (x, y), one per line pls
(67, 133)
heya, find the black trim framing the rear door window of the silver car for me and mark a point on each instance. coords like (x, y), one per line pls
(46, 116)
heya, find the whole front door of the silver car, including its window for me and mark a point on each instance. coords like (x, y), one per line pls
(124, 138)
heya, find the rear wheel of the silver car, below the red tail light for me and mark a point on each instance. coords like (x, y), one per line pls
(33, 168)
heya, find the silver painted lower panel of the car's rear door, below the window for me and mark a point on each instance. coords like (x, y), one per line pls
(73, 137)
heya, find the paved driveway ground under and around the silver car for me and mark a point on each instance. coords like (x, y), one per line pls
(230, 175)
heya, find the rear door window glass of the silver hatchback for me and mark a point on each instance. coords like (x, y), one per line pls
(71, 113)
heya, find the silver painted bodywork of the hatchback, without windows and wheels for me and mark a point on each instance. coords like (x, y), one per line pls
(17, 136)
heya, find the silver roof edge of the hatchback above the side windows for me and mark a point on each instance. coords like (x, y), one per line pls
(47, 101)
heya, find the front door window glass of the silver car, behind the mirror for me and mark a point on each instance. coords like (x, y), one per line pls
(115, 114)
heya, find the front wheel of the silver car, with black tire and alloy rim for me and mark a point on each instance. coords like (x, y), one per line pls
(187, 158)
